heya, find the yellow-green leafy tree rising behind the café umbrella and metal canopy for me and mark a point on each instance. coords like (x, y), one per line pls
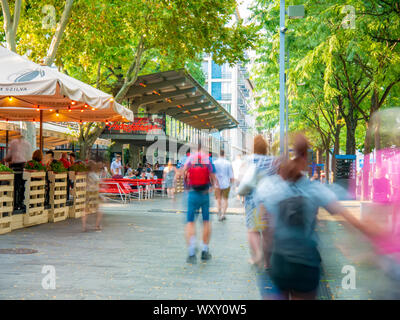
(148, 36)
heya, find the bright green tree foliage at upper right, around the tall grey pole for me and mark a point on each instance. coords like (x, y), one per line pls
(335, 72)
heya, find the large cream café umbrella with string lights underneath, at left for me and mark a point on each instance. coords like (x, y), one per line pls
(28, 90)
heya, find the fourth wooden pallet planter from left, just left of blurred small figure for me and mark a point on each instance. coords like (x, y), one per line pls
(78, 192)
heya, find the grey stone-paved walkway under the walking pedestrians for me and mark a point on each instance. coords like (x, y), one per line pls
(140, 254)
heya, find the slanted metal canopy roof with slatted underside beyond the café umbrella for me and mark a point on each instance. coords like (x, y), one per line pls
(179, 95)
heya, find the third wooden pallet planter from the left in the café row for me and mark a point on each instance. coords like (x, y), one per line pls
(58, 196)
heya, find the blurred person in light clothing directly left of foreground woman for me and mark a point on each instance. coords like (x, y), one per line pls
(258, 234)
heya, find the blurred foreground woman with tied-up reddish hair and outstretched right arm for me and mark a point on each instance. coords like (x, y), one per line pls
(292, 201)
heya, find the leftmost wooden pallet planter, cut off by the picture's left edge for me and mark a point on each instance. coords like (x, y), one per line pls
(6, 201)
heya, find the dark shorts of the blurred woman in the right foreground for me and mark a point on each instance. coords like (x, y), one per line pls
(288, 276)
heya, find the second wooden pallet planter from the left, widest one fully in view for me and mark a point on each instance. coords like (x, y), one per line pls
(35, 188)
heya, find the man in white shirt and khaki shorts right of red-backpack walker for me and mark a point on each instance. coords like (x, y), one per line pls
(224, 175)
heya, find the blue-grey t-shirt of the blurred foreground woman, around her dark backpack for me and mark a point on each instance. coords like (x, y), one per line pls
(298, 245)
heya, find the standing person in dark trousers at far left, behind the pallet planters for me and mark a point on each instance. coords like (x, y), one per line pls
(19, 152)
